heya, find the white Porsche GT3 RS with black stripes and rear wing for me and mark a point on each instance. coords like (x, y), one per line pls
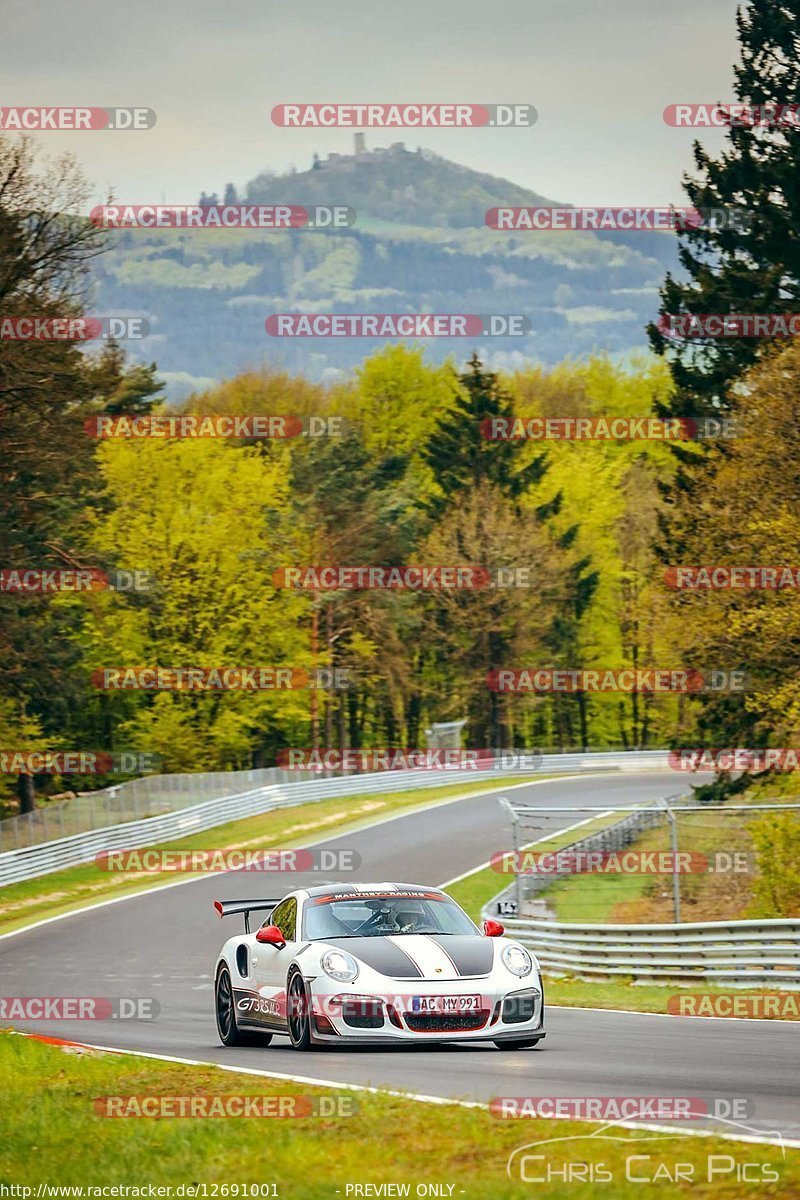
(375, 963)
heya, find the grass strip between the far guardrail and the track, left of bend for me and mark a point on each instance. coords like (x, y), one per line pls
(52, 895)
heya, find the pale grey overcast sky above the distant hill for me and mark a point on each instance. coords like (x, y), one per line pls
(600, 74)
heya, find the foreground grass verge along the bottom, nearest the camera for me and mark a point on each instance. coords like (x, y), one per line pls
(51, 1133)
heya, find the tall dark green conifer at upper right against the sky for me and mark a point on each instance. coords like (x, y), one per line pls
(754, 265)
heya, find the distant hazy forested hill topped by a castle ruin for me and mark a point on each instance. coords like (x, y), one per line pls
(419, 245)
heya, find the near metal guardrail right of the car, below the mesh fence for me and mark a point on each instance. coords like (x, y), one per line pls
(736, 952)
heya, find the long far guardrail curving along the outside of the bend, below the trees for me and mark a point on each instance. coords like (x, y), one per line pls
(31, 861)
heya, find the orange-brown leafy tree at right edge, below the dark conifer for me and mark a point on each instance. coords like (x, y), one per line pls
(739, 507)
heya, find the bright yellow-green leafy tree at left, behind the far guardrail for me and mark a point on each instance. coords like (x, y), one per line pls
(206, 520)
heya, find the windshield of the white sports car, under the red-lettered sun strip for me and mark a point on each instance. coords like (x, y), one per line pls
(381, 915)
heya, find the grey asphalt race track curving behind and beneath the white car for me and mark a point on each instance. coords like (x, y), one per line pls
(165, 944)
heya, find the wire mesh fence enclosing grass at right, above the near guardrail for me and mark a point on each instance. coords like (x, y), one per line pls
(670, 861)
